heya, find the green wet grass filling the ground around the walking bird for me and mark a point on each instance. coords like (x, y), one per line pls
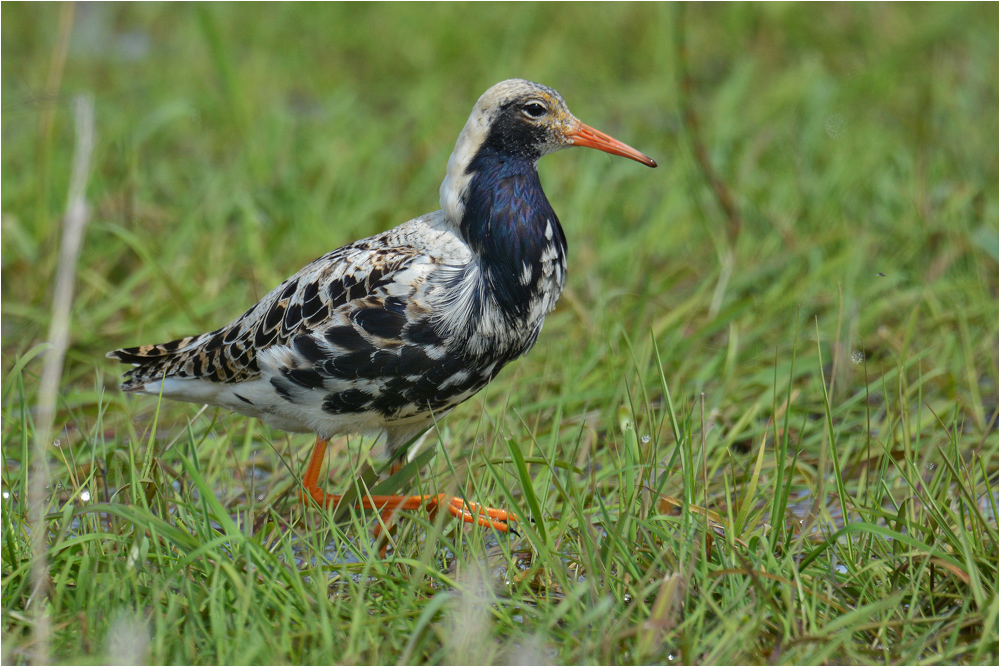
(824, 383)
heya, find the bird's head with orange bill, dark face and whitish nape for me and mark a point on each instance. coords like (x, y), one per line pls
(521, 120)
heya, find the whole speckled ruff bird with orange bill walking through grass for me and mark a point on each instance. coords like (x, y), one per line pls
(391, 332)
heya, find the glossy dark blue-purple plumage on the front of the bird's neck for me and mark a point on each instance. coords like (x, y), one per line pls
(506, 214)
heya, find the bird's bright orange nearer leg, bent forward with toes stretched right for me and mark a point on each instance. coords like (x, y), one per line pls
(468, 512)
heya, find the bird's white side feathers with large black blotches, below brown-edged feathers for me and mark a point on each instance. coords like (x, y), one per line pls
(382, 353)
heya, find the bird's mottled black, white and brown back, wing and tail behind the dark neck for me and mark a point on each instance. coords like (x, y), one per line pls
(358, 331)
